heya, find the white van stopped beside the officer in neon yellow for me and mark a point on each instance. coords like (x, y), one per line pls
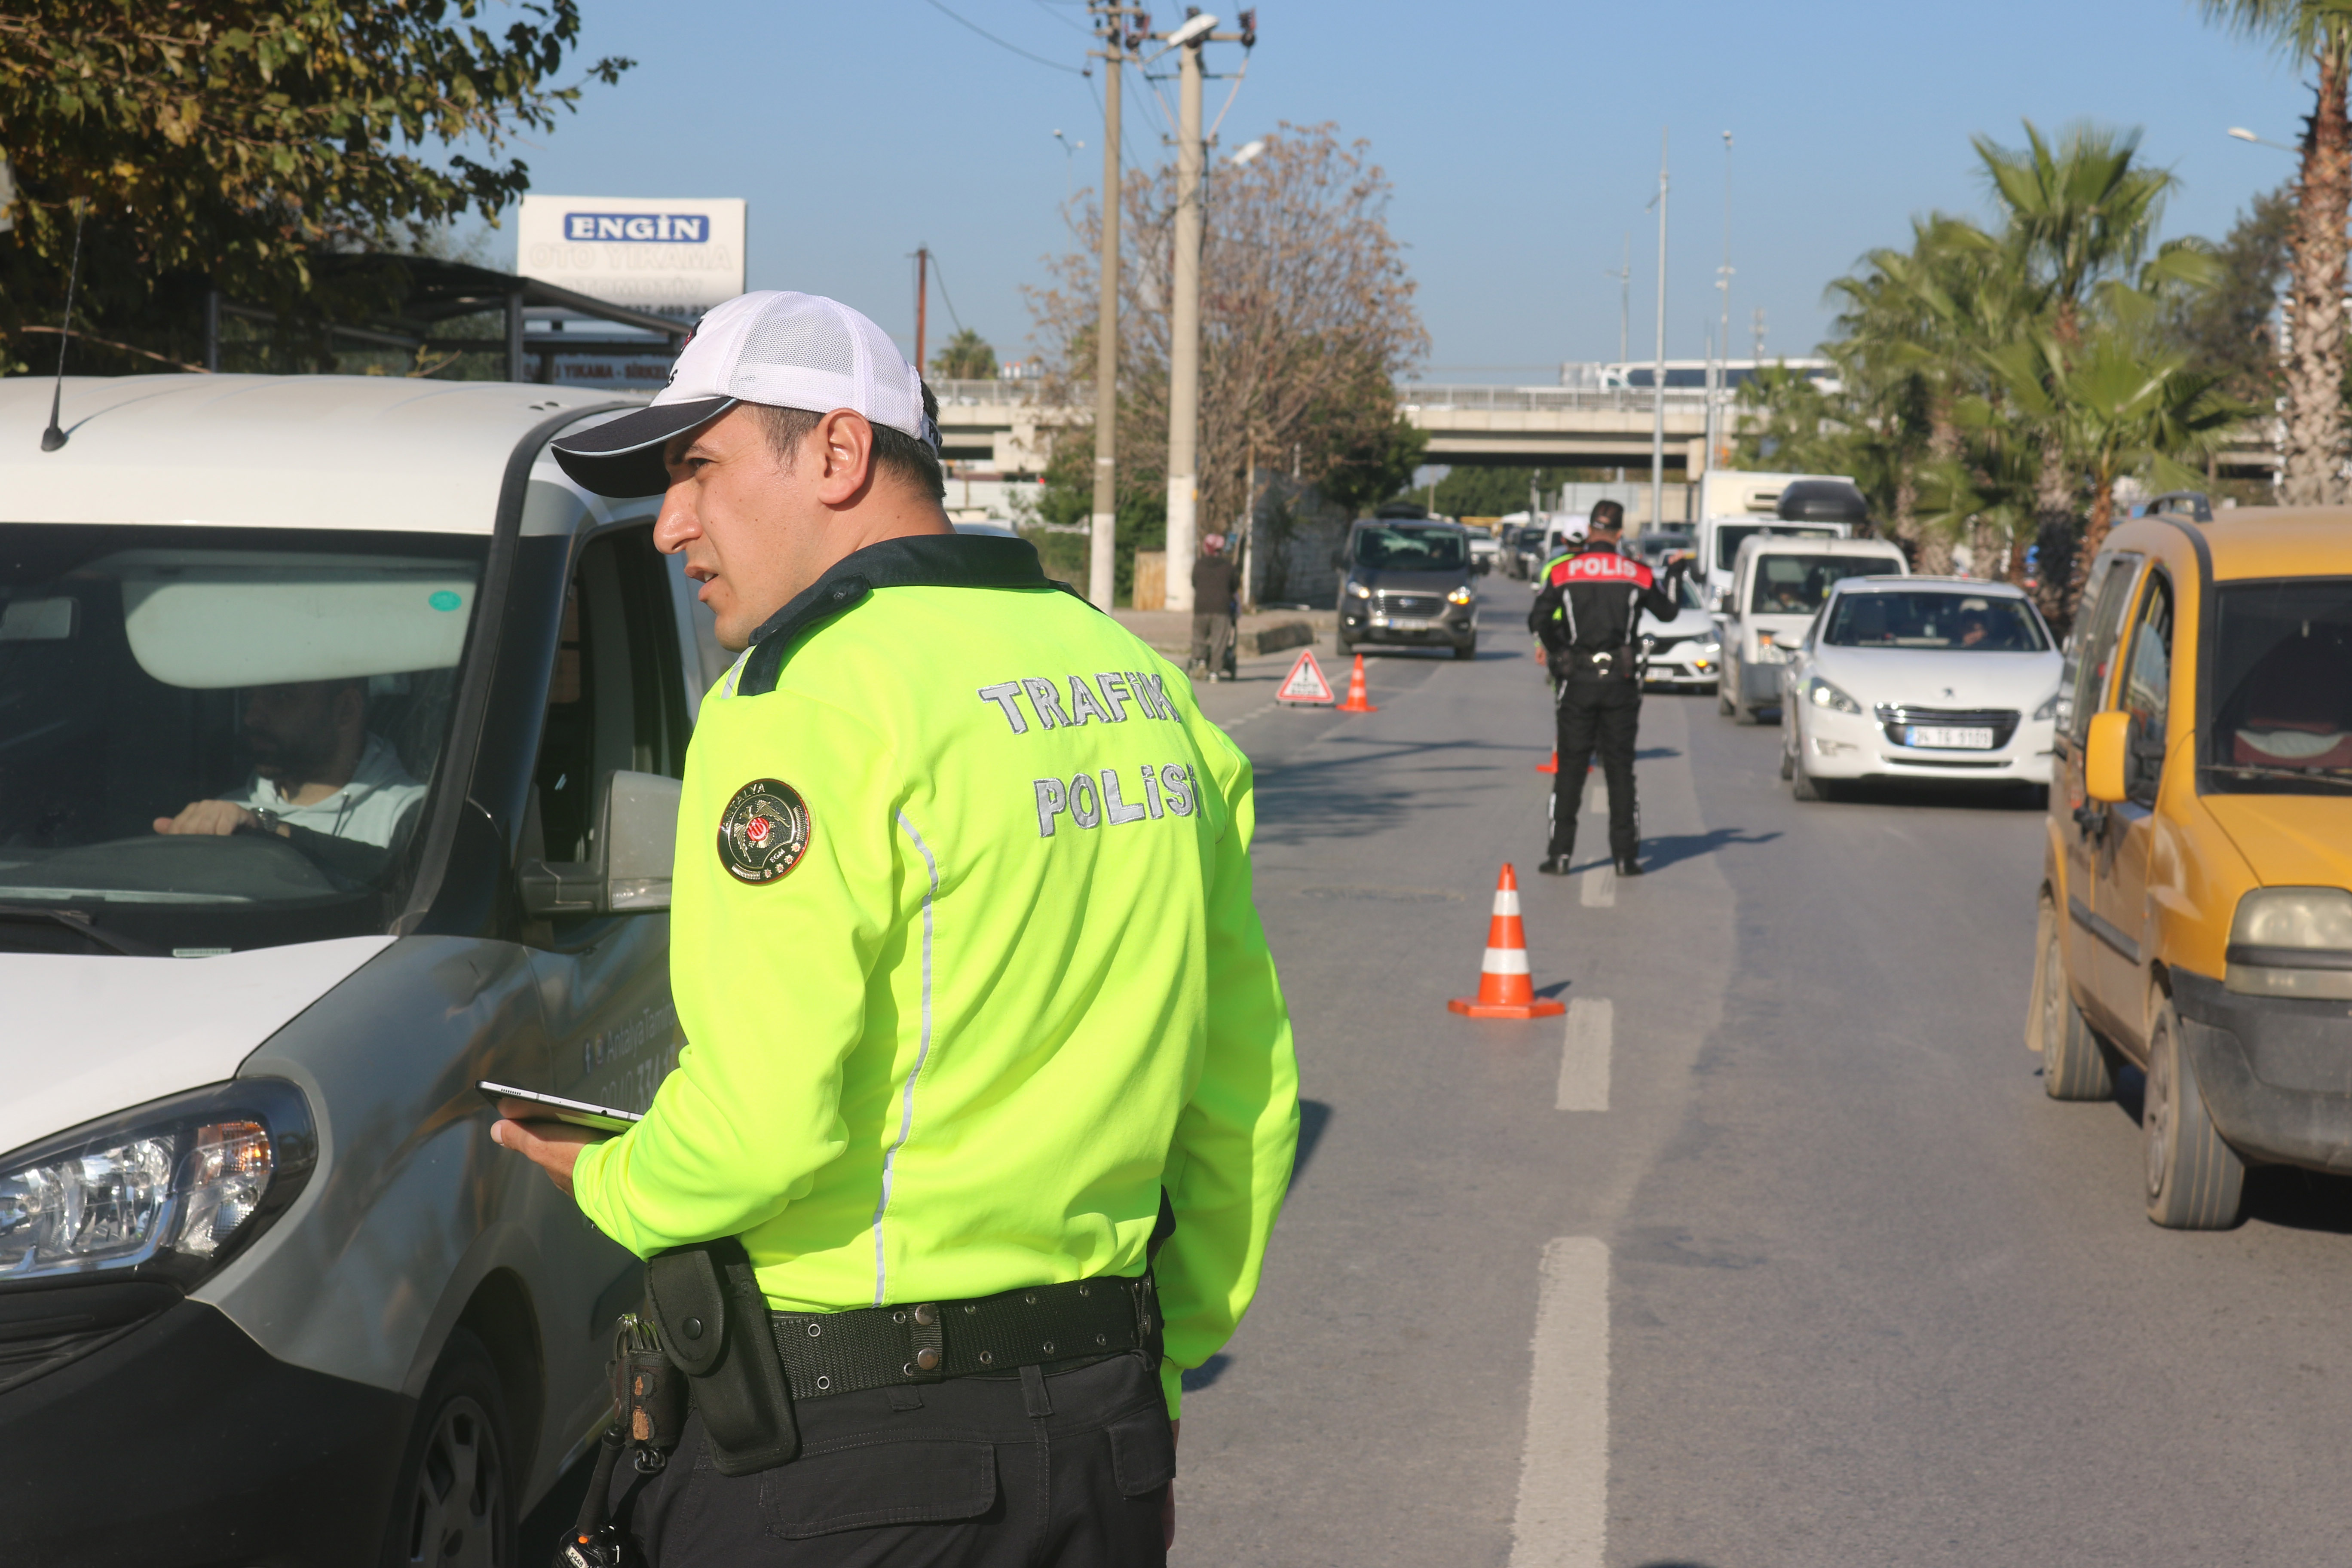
(267, 1289)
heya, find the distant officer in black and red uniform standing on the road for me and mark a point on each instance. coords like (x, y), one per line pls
(1586, 615)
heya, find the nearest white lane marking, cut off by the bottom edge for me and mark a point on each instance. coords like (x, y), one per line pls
(1563, 1517)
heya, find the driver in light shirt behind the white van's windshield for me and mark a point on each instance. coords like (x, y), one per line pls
(316, 772)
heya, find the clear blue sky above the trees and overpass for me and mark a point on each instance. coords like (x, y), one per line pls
(1523, 142)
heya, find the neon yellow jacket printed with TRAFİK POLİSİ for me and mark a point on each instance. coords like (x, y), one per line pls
(965, 958)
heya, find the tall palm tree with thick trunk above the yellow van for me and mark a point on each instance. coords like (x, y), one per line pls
(2316, 356)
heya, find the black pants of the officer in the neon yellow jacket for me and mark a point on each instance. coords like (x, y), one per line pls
(1022, 1470)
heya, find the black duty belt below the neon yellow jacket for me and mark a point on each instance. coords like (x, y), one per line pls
(841, 1353)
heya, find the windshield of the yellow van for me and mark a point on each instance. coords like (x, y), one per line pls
(2283, 690)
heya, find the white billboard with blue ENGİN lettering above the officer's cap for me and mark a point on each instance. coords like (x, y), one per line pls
(671, 255)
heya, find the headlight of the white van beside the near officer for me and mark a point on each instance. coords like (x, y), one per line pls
(173, 1188)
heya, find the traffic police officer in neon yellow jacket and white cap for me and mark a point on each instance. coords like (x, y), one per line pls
(982, 1021)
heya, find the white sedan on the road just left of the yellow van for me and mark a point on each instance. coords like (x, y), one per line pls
(1920, 678)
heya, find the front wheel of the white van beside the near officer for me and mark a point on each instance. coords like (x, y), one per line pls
(455, 1501)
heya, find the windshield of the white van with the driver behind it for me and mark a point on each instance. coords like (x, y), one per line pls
(218, 739)
